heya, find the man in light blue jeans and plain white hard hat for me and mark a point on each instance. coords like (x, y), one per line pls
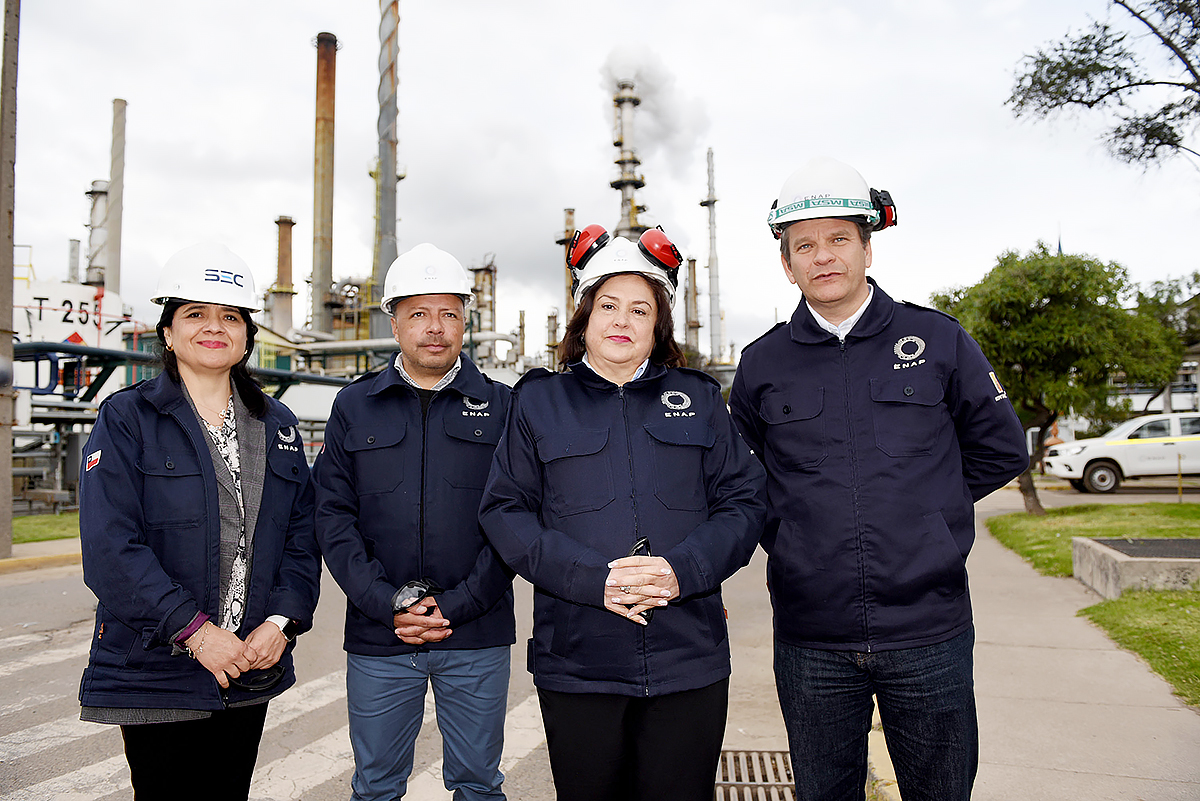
(399, 484)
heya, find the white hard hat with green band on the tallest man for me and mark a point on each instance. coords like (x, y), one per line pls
(826, 188)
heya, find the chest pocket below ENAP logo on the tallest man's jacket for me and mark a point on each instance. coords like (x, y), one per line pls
(909, 414)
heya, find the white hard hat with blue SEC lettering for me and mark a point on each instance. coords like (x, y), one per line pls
(208, 274)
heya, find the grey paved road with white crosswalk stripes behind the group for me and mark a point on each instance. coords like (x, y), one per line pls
(46, 752)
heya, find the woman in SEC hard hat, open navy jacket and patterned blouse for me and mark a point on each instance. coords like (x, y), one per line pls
(196, 523)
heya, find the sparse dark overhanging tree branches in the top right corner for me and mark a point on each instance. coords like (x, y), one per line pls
(1157, 111)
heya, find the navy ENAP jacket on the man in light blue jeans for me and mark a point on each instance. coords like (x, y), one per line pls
(398, 499)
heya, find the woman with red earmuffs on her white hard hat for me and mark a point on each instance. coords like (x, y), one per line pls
(622, 491)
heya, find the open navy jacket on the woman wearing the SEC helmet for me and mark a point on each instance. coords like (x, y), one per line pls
(151, 529)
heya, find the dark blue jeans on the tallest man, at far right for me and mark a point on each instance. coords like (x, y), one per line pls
(927, 707)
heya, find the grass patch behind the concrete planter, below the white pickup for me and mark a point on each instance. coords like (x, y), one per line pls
(1046, 541)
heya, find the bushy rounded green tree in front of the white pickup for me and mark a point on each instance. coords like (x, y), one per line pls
(1057, 328)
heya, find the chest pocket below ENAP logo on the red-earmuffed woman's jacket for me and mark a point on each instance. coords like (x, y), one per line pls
(679, 449)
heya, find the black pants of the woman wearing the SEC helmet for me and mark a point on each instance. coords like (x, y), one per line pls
(211, 758)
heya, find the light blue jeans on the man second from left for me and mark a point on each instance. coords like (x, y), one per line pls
(386, 697)
